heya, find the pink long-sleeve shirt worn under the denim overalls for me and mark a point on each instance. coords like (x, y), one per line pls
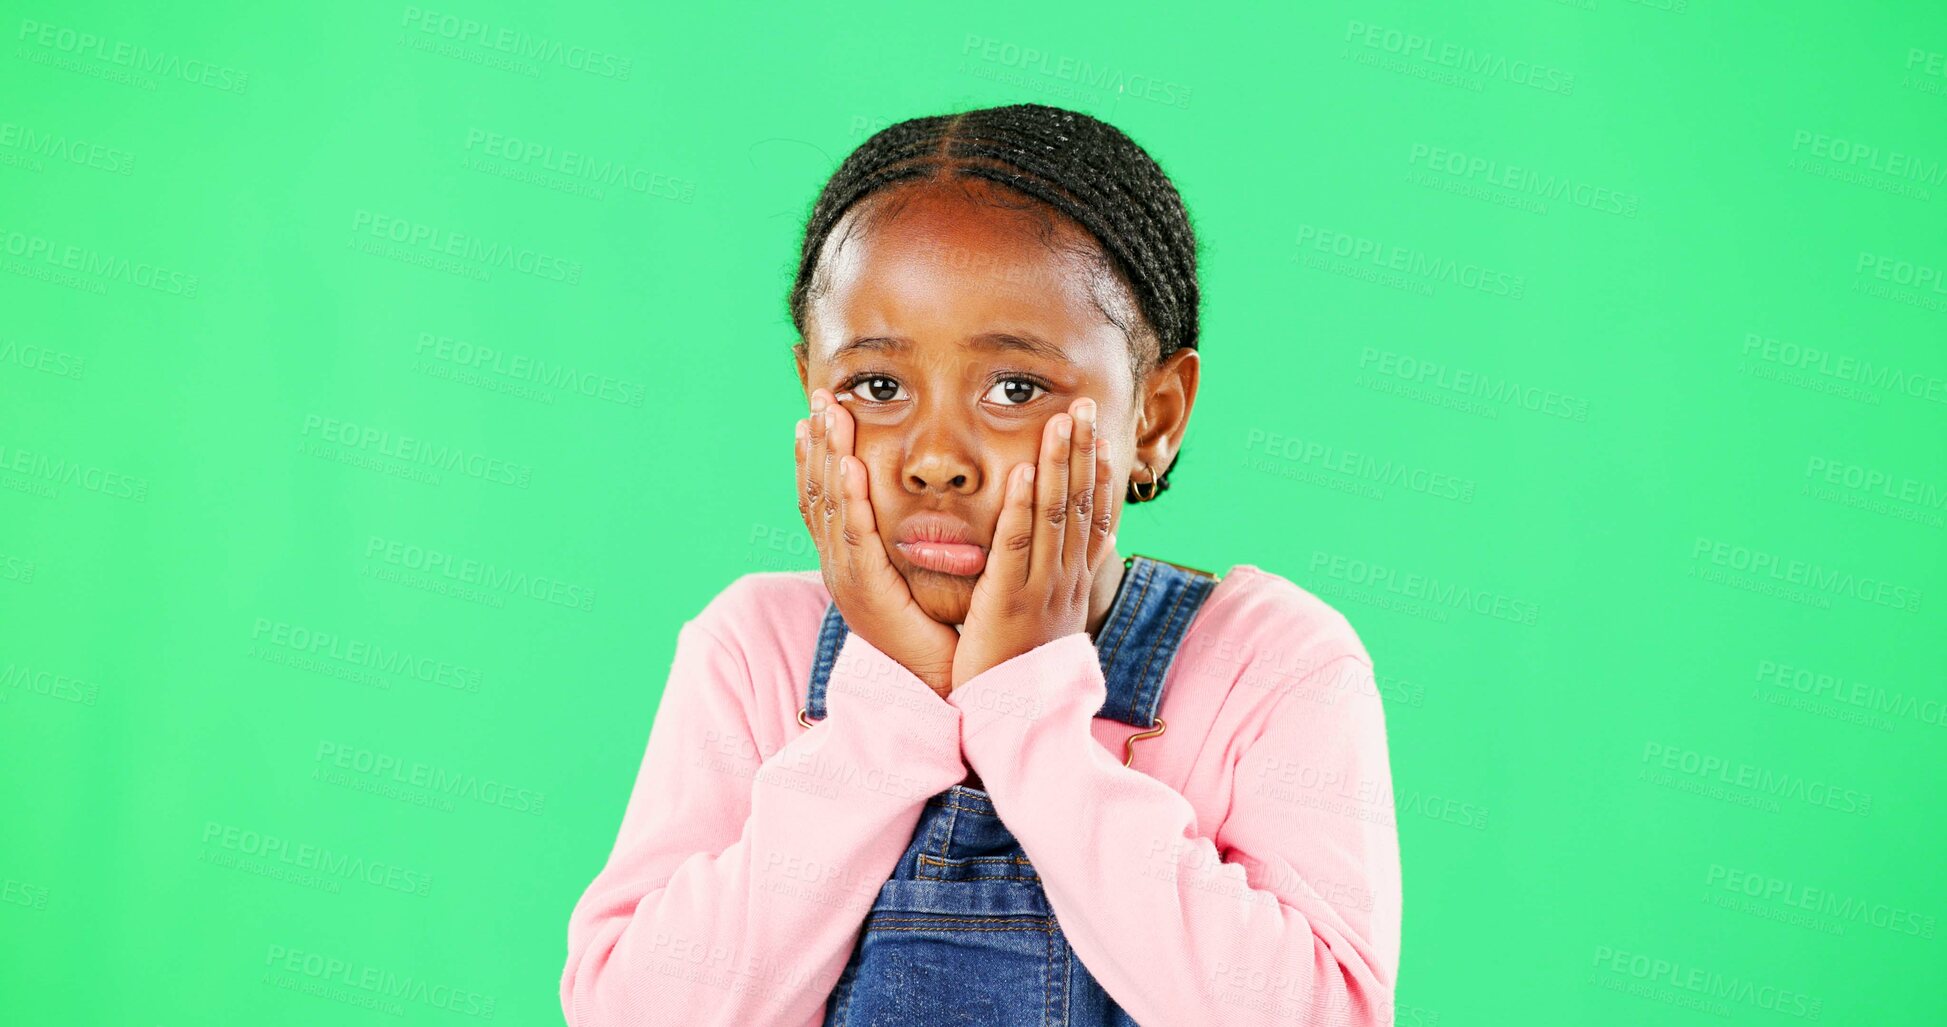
(1243, 872)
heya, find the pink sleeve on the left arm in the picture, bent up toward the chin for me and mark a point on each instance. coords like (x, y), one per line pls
(739, 882)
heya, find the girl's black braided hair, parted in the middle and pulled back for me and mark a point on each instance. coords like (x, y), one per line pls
(1080, 167)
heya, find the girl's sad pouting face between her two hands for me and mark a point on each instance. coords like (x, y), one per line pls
(961, 332)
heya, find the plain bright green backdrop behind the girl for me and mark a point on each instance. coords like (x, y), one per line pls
(383, 387)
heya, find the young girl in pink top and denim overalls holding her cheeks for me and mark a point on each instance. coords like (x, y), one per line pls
(980, 769)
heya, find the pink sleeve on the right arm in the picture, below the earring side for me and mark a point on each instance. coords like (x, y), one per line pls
(1290, 915)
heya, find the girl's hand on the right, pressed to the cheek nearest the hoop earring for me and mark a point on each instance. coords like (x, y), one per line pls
(1052, 535)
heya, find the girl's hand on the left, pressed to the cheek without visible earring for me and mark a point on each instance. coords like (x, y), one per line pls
(834, 500)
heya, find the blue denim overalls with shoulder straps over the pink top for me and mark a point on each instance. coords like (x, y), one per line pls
(963, 932)
